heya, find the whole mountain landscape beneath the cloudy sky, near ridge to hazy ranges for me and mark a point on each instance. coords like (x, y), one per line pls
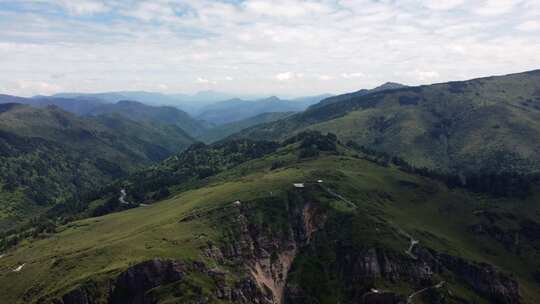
(385, 195)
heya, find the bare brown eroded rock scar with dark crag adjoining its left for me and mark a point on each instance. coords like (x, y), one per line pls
(265, 256)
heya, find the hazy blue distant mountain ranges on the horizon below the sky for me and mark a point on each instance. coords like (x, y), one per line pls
(144, 106)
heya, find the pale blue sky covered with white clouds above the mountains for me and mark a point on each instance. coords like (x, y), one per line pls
(278, 47)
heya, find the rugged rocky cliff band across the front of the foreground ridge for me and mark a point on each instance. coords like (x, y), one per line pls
(260, 249)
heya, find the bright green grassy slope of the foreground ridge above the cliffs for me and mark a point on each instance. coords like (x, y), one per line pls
(106, 245)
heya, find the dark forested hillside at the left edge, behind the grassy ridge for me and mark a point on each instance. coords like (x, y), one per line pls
(50, 157)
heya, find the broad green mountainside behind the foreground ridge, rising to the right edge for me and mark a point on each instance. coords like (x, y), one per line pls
(486, 124)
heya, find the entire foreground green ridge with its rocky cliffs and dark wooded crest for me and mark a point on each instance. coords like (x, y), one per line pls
(245, 234)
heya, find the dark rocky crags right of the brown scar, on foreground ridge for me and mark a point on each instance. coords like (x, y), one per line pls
(360, 270)
